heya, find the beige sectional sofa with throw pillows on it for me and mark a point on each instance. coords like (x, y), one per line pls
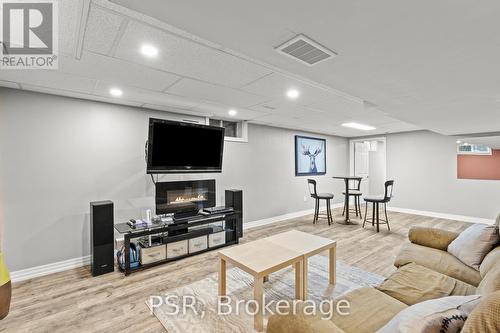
(425, 271)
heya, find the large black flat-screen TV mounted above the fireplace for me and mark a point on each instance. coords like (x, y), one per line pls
(179, 147)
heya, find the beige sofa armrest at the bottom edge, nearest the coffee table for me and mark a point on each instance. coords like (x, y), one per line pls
(300, 323)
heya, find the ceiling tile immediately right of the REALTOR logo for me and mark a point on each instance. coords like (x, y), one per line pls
(70, 13)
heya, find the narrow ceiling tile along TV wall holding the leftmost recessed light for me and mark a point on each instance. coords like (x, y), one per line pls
(145, 96)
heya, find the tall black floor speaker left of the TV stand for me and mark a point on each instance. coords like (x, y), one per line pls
(101, 237)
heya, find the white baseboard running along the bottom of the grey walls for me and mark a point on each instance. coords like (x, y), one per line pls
(30, 273)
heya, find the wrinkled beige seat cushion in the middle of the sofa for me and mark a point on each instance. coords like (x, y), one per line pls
(413, 283)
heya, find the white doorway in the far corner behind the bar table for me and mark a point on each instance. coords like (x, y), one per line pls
(367, 159)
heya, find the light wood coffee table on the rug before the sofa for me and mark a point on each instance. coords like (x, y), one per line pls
(268, 255)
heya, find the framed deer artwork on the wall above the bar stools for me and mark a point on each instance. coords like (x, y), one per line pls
(310, 156)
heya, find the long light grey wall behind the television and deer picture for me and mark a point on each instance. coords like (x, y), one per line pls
(58, 154)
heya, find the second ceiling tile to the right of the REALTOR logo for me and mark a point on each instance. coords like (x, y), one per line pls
(101, 30)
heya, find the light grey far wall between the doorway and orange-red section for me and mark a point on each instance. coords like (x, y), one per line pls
(424, 167)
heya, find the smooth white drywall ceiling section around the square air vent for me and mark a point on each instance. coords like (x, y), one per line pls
(413, 59)
